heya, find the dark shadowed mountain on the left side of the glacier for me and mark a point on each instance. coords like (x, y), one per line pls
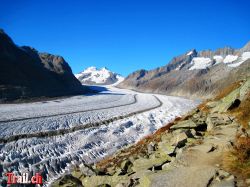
(26, 73)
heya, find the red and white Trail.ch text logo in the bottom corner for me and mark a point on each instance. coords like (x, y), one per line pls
(24, 179)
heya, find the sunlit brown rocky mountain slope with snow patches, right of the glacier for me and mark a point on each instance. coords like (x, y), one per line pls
(194, 74)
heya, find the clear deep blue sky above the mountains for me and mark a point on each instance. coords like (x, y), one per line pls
(125, 35)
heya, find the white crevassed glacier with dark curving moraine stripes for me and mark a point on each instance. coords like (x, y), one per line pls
(53, 156)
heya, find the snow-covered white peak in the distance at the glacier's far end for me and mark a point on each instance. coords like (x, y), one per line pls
(94, 76)
